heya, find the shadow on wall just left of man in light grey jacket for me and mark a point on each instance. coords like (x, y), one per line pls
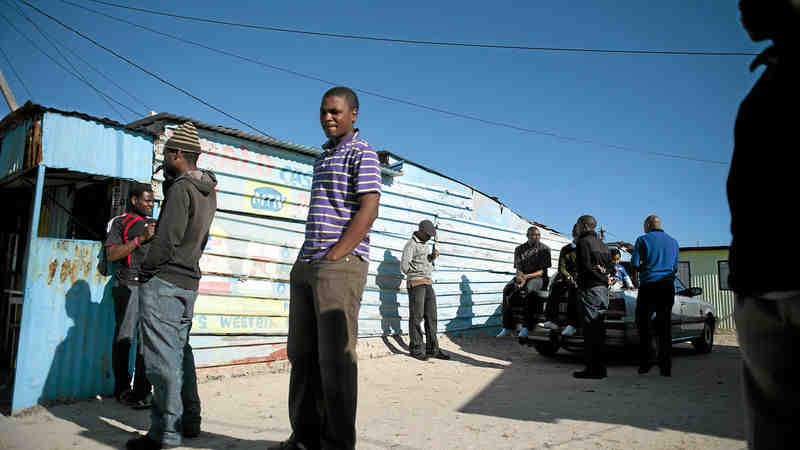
(389, 281)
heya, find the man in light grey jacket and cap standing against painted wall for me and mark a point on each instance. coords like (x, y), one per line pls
(417, 265)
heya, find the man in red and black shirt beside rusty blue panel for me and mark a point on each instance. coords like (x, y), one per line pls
(128, 240)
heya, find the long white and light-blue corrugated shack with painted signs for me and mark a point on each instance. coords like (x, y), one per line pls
(241, 315)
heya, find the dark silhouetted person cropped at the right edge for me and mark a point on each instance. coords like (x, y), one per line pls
(761, 186)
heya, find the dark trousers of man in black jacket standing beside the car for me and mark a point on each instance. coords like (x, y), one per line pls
(594, 302)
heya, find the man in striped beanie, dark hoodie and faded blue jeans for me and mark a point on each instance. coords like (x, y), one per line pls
(170, 276)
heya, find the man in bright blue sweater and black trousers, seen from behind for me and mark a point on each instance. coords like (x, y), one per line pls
(655, 258)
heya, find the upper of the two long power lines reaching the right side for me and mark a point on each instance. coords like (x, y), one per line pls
(428, 43)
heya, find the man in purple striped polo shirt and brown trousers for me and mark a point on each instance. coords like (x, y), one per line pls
(327, 282)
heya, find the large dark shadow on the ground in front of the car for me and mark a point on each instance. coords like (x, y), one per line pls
(701, 397)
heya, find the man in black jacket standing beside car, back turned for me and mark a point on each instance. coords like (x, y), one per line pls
(594, 265)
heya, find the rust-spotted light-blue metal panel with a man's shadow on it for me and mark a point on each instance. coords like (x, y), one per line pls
(67, 325)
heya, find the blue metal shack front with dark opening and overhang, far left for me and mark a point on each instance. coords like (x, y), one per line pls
(61, 174)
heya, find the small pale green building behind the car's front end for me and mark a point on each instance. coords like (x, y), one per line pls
(707, 268)
